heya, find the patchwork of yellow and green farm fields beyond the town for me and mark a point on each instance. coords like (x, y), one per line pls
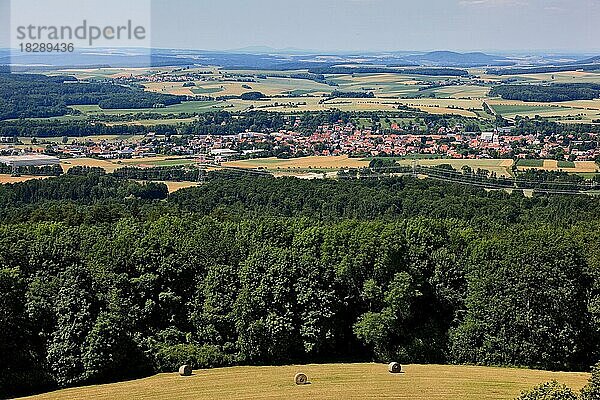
(448, 95)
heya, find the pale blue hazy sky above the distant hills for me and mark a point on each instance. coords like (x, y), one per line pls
(369, 25)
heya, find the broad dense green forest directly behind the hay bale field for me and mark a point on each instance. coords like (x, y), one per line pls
(104, 279)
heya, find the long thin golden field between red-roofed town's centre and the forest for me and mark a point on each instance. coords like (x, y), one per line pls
(313, 162)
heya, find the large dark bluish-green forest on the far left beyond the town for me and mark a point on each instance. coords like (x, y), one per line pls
(40, 96)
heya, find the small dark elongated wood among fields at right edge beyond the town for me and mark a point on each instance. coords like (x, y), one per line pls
(550, 93)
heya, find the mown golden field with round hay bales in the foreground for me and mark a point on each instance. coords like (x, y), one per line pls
(342, 381)
